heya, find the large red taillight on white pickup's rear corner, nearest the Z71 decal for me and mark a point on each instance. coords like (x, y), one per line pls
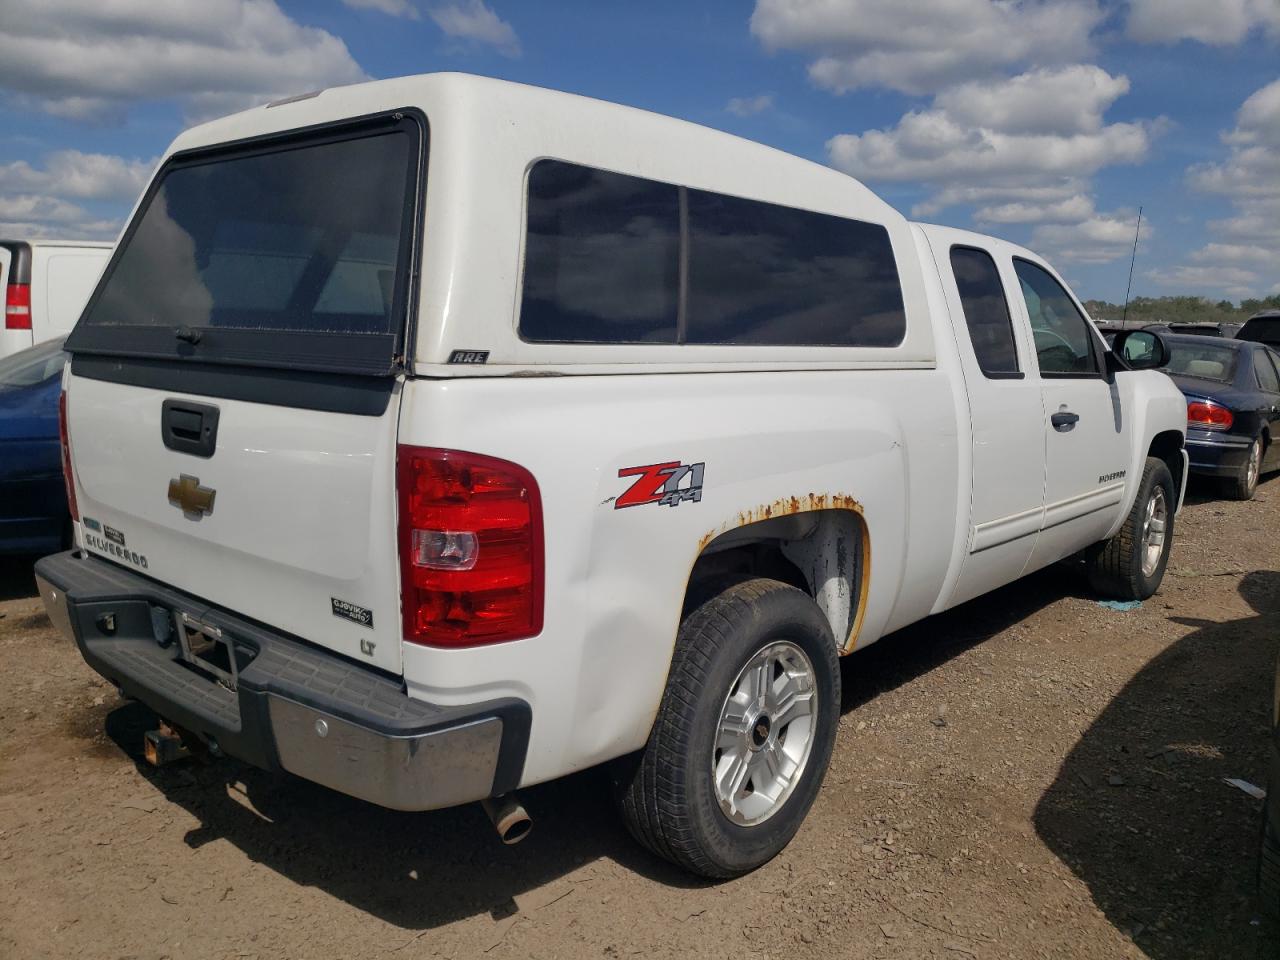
(472, 548)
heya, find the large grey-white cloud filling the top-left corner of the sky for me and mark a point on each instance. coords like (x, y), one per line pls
(86, 60)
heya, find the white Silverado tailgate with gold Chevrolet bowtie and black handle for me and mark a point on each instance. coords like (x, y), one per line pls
(301, 534)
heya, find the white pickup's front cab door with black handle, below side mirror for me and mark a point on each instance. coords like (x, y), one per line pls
(1087, 436)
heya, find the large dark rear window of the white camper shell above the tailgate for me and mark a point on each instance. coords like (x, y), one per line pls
(286, 253)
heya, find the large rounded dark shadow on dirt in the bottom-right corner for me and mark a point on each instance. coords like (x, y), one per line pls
(1140, 811)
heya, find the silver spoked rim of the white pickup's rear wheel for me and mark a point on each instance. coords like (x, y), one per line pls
(766, 734)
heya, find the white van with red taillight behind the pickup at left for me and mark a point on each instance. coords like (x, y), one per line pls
(45, 286)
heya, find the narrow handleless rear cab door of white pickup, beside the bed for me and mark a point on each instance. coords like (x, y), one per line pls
(1007, 417)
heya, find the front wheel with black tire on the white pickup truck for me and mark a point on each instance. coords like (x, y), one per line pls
(1122, 568)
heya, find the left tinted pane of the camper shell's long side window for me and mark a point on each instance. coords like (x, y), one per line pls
(602, 258)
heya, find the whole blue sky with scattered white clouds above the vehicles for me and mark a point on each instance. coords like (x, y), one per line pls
(1048, 122)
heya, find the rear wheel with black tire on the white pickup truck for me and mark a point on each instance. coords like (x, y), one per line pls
(669, 794)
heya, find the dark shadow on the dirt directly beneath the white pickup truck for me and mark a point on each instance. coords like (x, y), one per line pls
(423, 871)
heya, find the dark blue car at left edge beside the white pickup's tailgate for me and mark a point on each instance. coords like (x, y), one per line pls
(34, 516)
